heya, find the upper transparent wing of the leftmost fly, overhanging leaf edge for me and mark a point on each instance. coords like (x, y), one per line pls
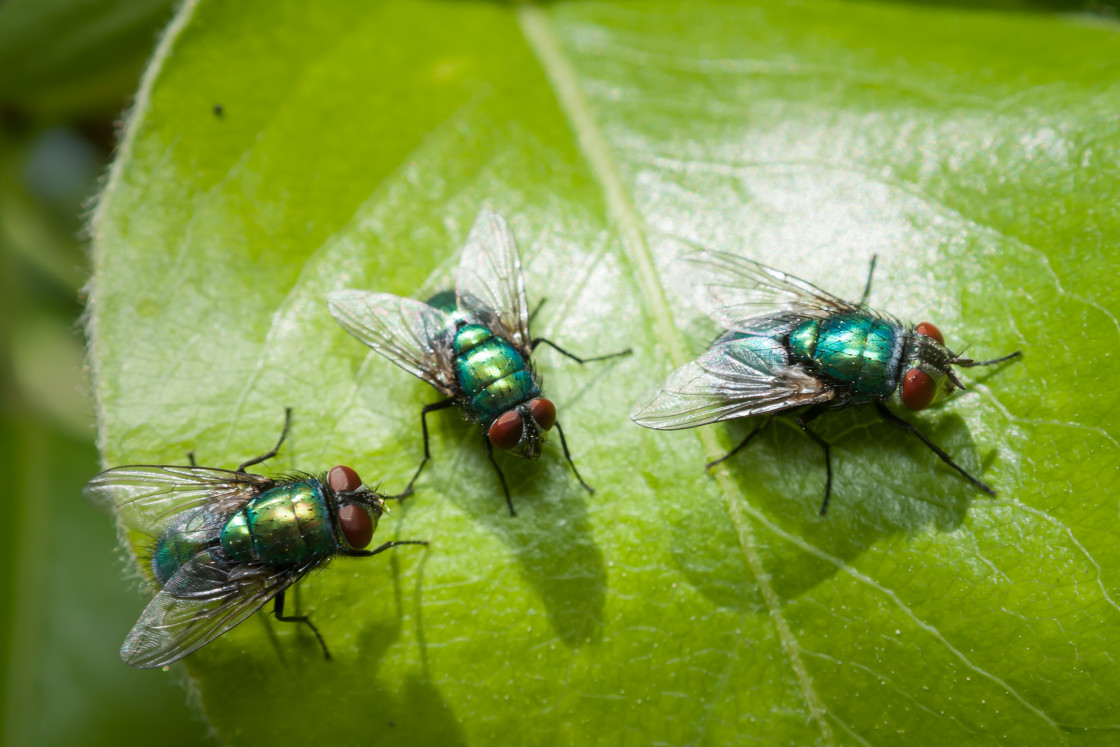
(147, 498)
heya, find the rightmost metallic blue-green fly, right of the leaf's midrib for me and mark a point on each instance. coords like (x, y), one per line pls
(792, 347)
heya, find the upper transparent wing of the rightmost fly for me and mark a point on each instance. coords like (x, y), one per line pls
(746, 296)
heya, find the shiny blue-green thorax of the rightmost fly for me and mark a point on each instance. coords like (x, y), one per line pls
(852, 349)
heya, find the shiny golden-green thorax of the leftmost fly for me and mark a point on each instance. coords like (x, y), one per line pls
(286, 526)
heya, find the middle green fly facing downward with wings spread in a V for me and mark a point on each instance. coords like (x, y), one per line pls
(472, 344)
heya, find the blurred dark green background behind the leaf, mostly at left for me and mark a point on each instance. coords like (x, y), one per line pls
(68, 70)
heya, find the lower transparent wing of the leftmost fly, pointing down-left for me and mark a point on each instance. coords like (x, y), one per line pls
(201, 602)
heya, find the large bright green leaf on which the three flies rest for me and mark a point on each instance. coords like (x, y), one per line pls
(974, 152)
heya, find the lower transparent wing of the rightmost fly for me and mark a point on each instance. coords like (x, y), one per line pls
(726, 382)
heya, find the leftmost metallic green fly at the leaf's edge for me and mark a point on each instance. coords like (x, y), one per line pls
(222, 544)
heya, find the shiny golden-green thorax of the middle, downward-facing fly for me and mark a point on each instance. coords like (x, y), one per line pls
(492, 373)
